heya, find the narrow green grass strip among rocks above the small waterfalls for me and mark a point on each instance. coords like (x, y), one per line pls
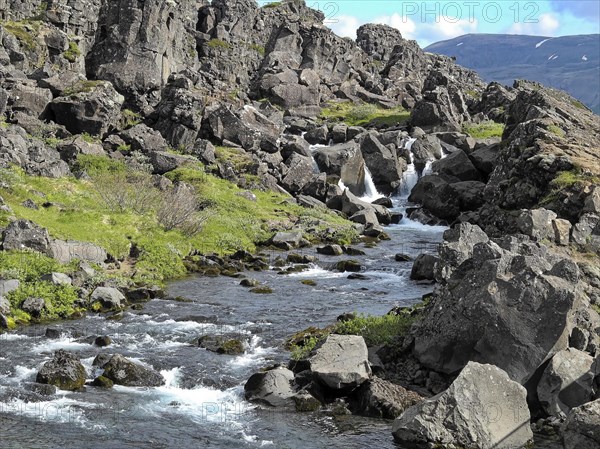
(365, 114)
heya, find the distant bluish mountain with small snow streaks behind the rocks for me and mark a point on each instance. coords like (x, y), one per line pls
(570, 63)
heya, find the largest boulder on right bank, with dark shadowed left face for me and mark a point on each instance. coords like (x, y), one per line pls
(512, 304)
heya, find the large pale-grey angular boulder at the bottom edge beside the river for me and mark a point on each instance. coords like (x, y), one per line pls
(482, 409)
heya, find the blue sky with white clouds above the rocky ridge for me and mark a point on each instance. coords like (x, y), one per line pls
(432, 21)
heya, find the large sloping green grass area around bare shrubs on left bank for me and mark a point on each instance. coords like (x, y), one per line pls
(232, 222)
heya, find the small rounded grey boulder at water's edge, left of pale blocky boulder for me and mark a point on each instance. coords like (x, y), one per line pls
(273, 387)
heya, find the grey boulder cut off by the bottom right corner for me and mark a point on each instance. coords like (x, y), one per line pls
(581, 430)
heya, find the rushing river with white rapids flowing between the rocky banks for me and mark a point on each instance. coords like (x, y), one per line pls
(202, 403)
